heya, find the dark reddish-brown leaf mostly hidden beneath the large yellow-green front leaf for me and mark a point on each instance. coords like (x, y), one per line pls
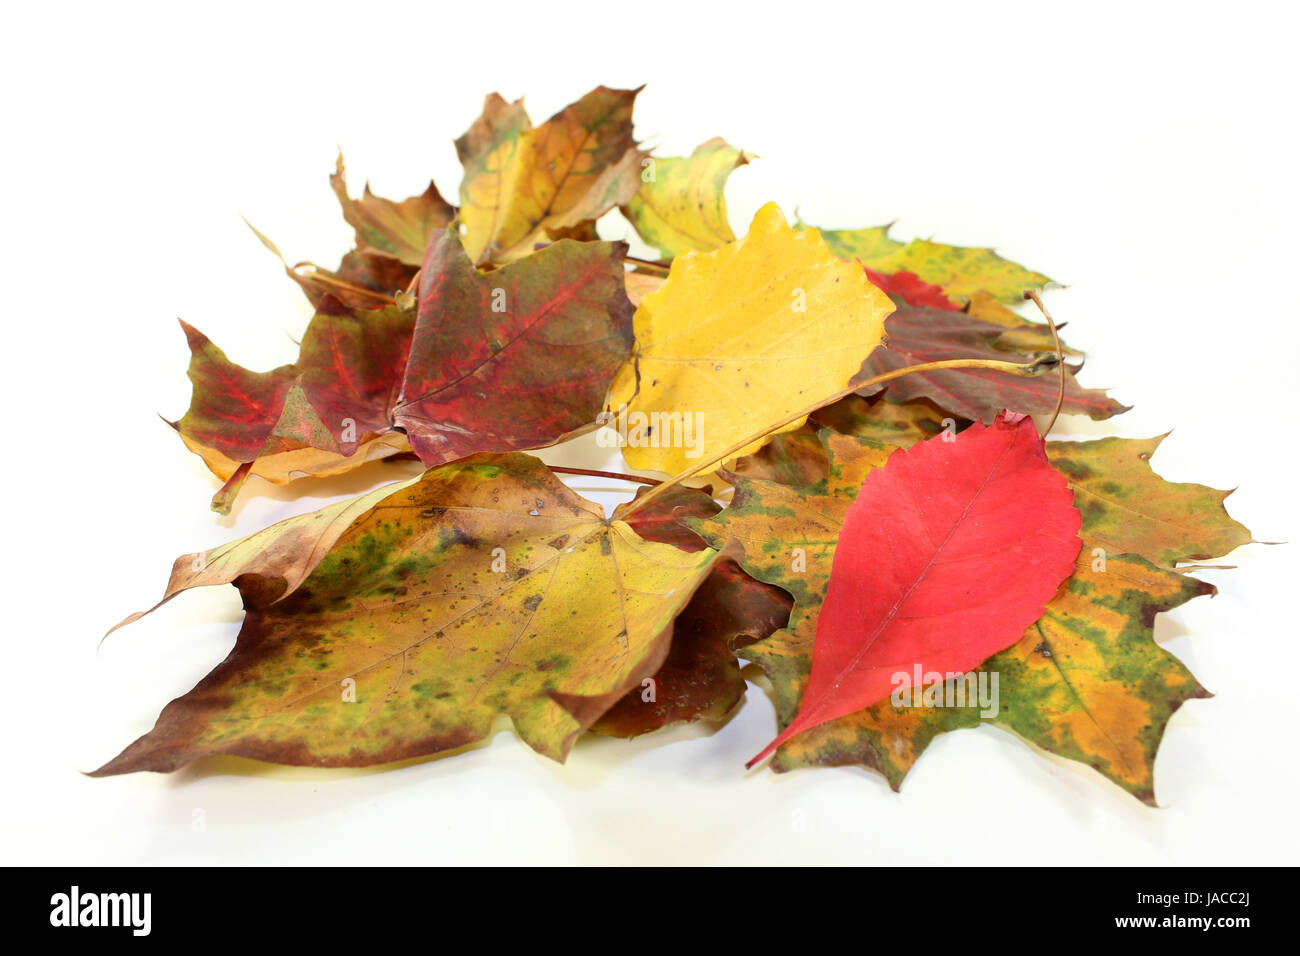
(701, 678)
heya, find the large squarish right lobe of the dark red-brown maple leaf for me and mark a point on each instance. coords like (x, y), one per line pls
(518, 358)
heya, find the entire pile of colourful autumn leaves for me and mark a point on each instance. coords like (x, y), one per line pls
(905, 527)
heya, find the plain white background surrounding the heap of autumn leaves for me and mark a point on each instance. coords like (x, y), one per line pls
(1143, 154)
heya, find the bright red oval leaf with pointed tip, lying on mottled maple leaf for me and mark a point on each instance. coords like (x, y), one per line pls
(950, 552)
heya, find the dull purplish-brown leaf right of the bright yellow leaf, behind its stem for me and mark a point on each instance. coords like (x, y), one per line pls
(917, 336)
